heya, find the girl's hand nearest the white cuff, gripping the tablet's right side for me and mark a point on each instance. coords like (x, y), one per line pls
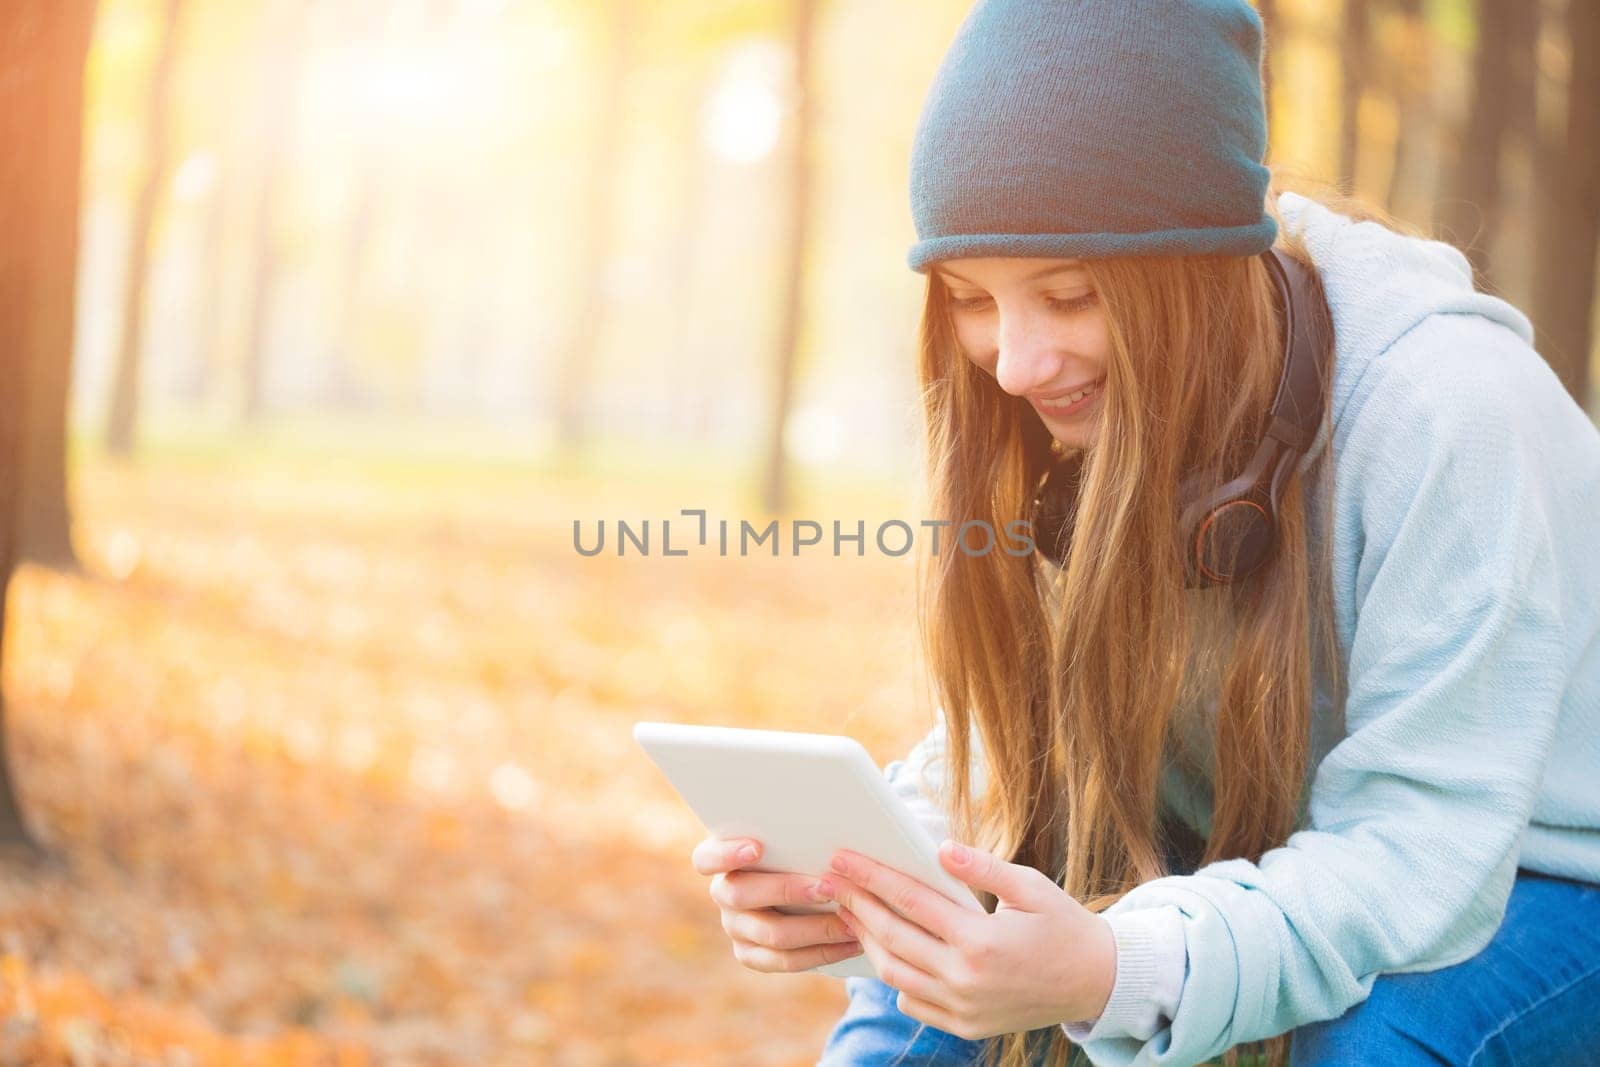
(1039, 961)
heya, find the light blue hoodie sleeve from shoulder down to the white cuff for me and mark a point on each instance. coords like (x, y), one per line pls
(1455, 679)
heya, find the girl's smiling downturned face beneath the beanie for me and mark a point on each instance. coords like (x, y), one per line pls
(1039, 330)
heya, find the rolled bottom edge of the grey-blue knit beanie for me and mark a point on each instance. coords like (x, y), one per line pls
(1239, 241)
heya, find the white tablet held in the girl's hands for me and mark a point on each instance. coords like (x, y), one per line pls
(802, 797)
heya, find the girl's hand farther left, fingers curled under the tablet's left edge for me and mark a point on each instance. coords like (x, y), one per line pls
(766, 940)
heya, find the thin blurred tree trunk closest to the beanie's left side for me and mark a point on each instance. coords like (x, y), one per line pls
(796, 249)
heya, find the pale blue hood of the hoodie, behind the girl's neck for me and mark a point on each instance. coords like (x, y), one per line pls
(1380, 286)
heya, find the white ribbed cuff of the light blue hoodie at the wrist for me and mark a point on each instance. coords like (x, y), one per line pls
(1151, 964)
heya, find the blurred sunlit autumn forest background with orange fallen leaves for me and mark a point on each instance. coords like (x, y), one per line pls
(324, 321)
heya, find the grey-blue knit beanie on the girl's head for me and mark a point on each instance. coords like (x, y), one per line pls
(1086, 129)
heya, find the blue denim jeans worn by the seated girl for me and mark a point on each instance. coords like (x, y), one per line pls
(1532, 997)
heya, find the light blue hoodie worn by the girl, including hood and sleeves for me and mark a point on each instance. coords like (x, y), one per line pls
(1466, 580)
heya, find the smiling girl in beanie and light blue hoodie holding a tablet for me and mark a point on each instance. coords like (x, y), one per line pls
(1318, 769)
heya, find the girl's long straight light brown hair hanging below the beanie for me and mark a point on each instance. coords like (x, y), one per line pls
(1074, 689)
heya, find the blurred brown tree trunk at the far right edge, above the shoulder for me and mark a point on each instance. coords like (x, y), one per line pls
(1569, 215)
